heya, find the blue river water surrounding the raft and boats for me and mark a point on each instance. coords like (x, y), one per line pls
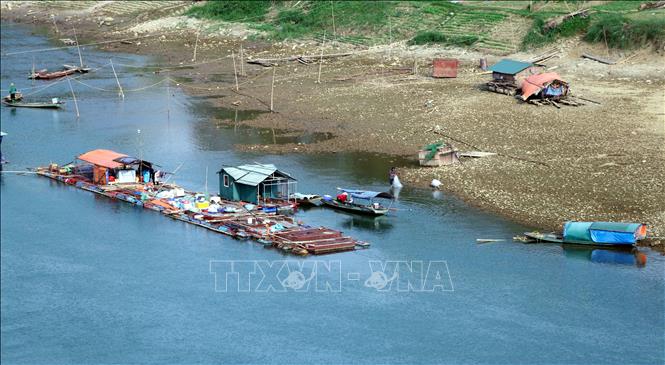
(87, 280)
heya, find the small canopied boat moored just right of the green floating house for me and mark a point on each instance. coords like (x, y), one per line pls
(367, 205)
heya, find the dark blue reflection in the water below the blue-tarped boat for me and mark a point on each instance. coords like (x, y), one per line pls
(630, 257)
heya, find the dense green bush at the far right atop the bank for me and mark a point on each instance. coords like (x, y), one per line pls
(621, 32)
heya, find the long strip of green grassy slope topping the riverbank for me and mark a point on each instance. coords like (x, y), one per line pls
(438, 22)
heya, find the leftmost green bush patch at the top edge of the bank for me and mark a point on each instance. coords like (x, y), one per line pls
(231, 10)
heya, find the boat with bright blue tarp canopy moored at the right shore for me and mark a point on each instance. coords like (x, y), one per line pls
(594, 234)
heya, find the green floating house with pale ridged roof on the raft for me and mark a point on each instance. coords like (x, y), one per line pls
(256, 183)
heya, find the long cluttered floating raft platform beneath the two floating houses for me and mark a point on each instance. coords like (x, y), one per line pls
(269, 229)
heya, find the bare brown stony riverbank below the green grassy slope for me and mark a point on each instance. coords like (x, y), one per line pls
(596, 162)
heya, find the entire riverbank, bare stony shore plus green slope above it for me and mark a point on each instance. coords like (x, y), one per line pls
(602, 161)
